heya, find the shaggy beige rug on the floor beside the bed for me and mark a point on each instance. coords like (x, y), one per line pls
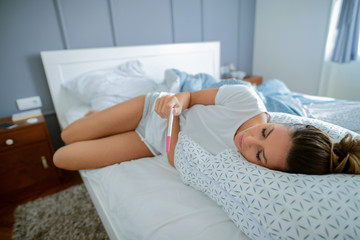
(68, 214)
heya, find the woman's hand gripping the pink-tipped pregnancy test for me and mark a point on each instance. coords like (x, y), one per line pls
(164, 105)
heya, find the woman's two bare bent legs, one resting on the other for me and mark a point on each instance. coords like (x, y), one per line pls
(103, 138)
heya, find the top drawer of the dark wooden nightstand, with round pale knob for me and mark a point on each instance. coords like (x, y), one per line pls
(21, 137)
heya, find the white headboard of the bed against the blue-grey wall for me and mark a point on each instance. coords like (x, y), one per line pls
(63, 65)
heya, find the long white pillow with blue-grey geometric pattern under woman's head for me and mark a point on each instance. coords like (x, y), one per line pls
(268, 204)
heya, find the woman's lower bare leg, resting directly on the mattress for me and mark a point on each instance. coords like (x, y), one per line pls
(101, 152)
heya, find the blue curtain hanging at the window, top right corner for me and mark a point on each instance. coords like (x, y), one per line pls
(347, 40)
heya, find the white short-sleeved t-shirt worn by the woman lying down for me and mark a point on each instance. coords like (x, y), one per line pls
(214, 126)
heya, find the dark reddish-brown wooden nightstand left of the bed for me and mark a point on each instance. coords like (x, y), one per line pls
(26, 164)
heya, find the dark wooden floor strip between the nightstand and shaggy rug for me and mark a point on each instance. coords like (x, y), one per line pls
(68, 179)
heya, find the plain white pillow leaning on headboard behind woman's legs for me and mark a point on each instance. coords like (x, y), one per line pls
(106, 87)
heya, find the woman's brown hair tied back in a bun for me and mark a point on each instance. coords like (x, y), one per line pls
(312, 152)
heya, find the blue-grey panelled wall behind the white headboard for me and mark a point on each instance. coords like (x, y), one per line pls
(28, 27)
